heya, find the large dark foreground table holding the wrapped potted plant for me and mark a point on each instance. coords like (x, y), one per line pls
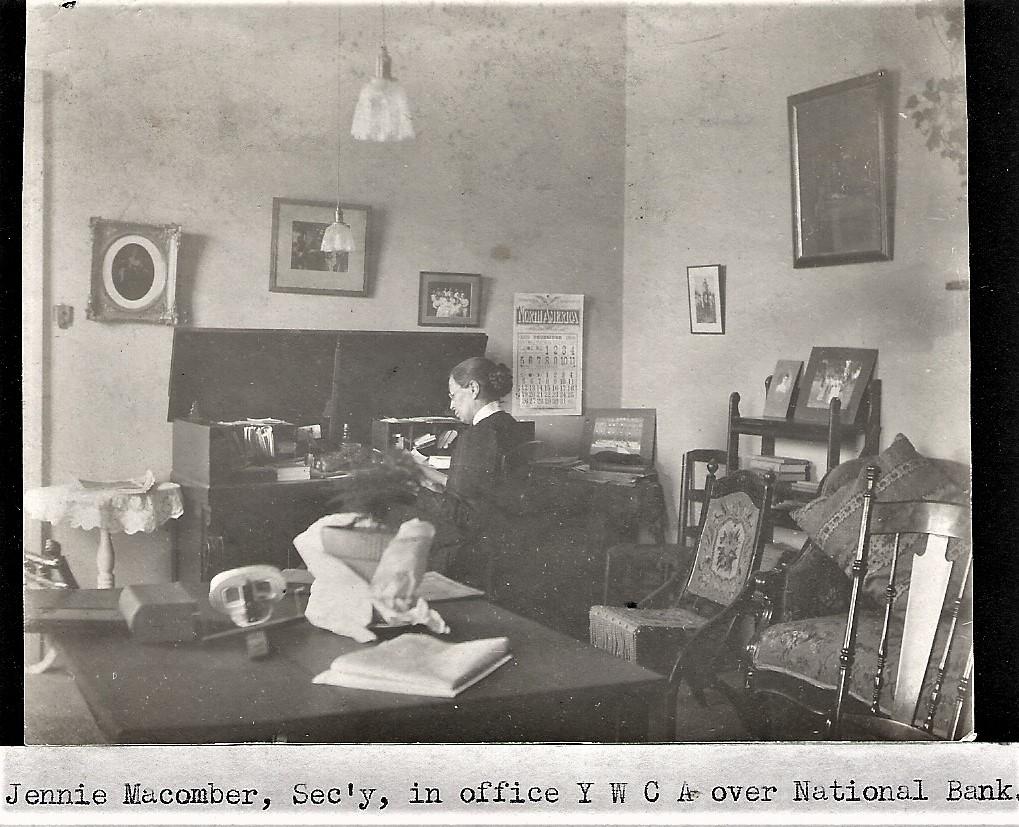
(556, 689)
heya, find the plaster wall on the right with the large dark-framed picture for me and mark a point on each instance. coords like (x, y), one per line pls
(709, 183)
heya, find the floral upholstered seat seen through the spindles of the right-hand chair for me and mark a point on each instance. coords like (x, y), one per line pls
(809, 650)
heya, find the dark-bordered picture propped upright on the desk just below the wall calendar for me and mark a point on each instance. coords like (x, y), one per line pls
(619, 439)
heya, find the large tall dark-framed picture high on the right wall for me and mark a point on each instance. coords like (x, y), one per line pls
(840, 139)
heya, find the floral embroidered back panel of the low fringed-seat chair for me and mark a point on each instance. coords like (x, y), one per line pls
(725, 553)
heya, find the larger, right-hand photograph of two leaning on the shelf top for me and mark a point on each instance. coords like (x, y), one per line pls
(842, 372)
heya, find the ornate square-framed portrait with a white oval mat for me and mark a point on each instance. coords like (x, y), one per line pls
(134, 272)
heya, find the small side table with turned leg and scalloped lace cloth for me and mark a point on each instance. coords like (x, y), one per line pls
(112, 509)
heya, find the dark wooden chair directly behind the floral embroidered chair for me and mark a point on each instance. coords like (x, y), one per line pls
(635, 570)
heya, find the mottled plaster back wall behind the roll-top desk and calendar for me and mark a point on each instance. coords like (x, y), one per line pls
(201, 115)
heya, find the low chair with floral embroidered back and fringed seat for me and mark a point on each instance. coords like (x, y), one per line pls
(733, 529)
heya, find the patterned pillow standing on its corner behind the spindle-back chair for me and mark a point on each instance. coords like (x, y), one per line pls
(833, 521)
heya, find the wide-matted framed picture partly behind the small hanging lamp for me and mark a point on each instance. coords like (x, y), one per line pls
(298, 264)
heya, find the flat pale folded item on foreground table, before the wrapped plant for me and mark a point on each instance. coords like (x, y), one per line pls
(418, 665)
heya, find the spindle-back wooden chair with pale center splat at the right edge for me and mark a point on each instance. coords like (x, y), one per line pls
(901, 673)
